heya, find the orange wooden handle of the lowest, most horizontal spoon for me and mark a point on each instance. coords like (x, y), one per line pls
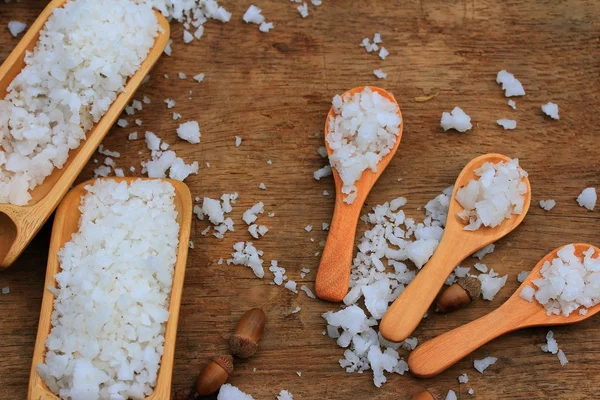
(440, 353)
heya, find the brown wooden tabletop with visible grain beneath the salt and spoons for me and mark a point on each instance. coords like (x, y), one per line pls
(274, 91)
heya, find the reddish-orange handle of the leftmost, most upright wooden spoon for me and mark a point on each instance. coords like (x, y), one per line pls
(333, 275)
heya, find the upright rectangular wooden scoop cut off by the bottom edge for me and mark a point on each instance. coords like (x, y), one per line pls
(66, 222)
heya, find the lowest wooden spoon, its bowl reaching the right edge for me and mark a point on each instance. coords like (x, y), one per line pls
(438, 354)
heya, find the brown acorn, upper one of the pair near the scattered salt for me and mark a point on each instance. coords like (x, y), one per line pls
(244, 341)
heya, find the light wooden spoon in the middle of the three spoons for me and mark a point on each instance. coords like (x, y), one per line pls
(407, 311)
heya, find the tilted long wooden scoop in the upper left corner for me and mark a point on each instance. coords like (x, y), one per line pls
(19, 224)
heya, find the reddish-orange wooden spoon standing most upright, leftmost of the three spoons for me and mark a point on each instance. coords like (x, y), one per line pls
(333, 275)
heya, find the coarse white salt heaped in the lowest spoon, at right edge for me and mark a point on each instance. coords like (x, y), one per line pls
(569, 282)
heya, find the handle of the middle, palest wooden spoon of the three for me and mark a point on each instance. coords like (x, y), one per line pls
(405, 314)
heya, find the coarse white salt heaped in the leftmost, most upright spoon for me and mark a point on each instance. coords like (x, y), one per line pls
(363, 129)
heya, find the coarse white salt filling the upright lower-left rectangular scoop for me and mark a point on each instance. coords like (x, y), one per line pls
(113, 292)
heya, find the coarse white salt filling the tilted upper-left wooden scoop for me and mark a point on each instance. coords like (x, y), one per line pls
(69, 81)
